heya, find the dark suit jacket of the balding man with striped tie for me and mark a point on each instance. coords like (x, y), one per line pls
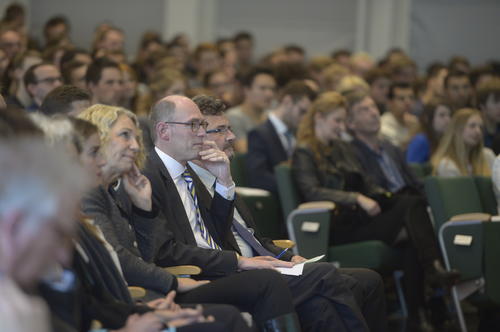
(175, 241)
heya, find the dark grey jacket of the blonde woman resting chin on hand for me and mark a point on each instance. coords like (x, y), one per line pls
(117, 220)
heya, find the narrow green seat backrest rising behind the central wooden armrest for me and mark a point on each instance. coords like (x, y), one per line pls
(289, 196)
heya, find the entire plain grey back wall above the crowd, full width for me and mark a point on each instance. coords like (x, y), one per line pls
(437, 28)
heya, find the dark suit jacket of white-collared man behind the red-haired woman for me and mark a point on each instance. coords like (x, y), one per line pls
(265, 151)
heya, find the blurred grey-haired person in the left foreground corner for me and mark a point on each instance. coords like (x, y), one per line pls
(36, 225)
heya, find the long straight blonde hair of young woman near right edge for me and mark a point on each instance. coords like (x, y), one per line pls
(453, 147)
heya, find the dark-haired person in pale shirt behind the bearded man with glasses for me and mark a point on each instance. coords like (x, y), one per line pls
(259, 88)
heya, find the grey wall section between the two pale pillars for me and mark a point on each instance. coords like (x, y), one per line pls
(319, 25)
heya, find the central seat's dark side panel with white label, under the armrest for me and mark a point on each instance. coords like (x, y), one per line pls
(310, 230)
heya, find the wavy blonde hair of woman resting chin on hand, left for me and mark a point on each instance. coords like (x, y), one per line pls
(104, 117)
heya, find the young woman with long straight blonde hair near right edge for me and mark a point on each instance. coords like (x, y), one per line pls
(461, 151)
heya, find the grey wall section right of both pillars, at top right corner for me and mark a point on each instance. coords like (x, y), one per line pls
(442, 28)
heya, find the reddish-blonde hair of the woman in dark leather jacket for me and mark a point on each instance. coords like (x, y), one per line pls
(326, 103)
